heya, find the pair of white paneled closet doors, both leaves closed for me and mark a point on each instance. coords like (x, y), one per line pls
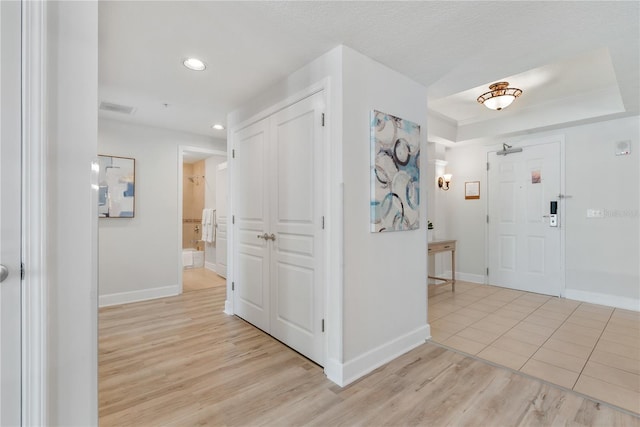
(278, 234)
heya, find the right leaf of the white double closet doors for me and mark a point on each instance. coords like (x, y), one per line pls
(296, 222)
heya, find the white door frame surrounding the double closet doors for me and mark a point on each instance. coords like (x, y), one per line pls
(333, 227)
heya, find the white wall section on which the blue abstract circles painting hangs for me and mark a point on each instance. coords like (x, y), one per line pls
(385, 274)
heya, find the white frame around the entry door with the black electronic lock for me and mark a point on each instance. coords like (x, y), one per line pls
(561, 200)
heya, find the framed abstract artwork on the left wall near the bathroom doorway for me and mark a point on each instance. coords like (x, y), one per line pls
(116, 187)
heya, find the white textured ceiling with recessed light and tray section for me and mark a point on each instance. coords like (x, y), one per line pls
(455, 49)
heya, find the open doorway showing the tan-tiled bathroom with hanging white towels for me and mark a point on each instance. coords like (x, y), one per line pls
(201, 250)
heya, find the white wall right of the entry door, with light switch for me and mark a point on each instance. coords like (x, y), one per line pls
(602, 254)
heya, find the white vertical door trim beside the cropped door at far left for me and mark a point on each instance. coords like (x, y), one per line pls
(34, 212)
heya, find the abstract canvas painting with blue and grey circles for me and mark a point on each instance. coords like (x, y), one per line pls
(395, 173)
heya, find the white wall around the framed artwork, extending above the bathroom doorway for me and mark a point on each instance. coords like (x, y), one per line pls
(139, 256)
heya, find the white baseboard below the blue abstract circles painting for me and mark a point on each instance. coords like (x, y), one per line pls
(360, 366)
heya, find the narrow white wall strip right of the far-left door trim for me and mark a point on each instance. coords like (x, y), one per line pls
(71, 216)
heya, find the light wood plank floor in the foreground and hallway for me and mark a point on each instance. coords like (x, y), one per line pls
(180, 361)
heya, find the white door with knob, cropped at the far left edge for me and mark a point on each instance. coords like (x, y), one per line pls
(10, 171)
